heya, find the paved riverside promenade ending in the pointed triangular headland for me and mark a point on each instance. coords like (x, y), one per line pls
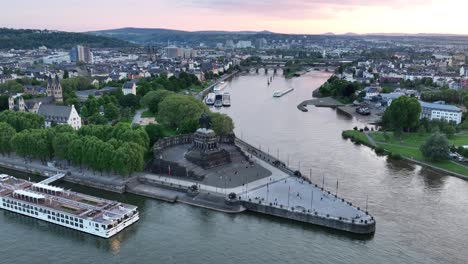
(281, 192)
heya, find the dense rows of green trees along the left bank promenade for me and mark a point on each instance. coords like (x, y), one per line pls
(119, 149)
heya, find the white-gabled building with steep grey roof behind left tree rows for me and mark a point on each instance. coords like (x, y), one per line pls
(60, 115)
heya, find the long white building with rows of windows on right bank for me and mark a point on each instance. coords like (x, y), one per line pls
(441, 111)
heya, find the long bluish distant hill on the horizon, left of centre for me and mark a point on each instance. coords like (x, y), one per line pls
(160, 35)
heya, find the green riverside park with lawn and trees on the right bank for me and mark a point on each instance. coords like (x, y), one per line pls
(404, 134)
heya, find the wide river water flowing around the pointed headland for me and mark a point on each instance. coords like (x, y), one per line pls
(422, 217)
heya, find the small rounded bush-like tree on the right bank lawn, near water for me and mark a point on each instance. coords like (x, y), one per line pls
(436, 147)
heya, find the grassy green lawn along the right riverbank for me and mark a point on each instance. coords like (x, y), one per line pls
(409, 148)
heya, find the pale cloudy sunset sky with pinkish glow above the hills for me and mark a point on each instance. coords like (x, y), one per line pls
(282, 16)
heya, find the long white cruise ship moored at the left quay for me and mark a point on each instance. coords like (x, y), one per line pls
(96, 216)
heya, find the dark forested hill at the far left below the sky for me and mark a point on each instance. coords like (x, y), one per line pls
(31, 38)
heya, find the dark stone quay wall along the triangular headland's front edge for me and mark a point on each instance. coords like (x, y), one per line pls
(357, 228)
